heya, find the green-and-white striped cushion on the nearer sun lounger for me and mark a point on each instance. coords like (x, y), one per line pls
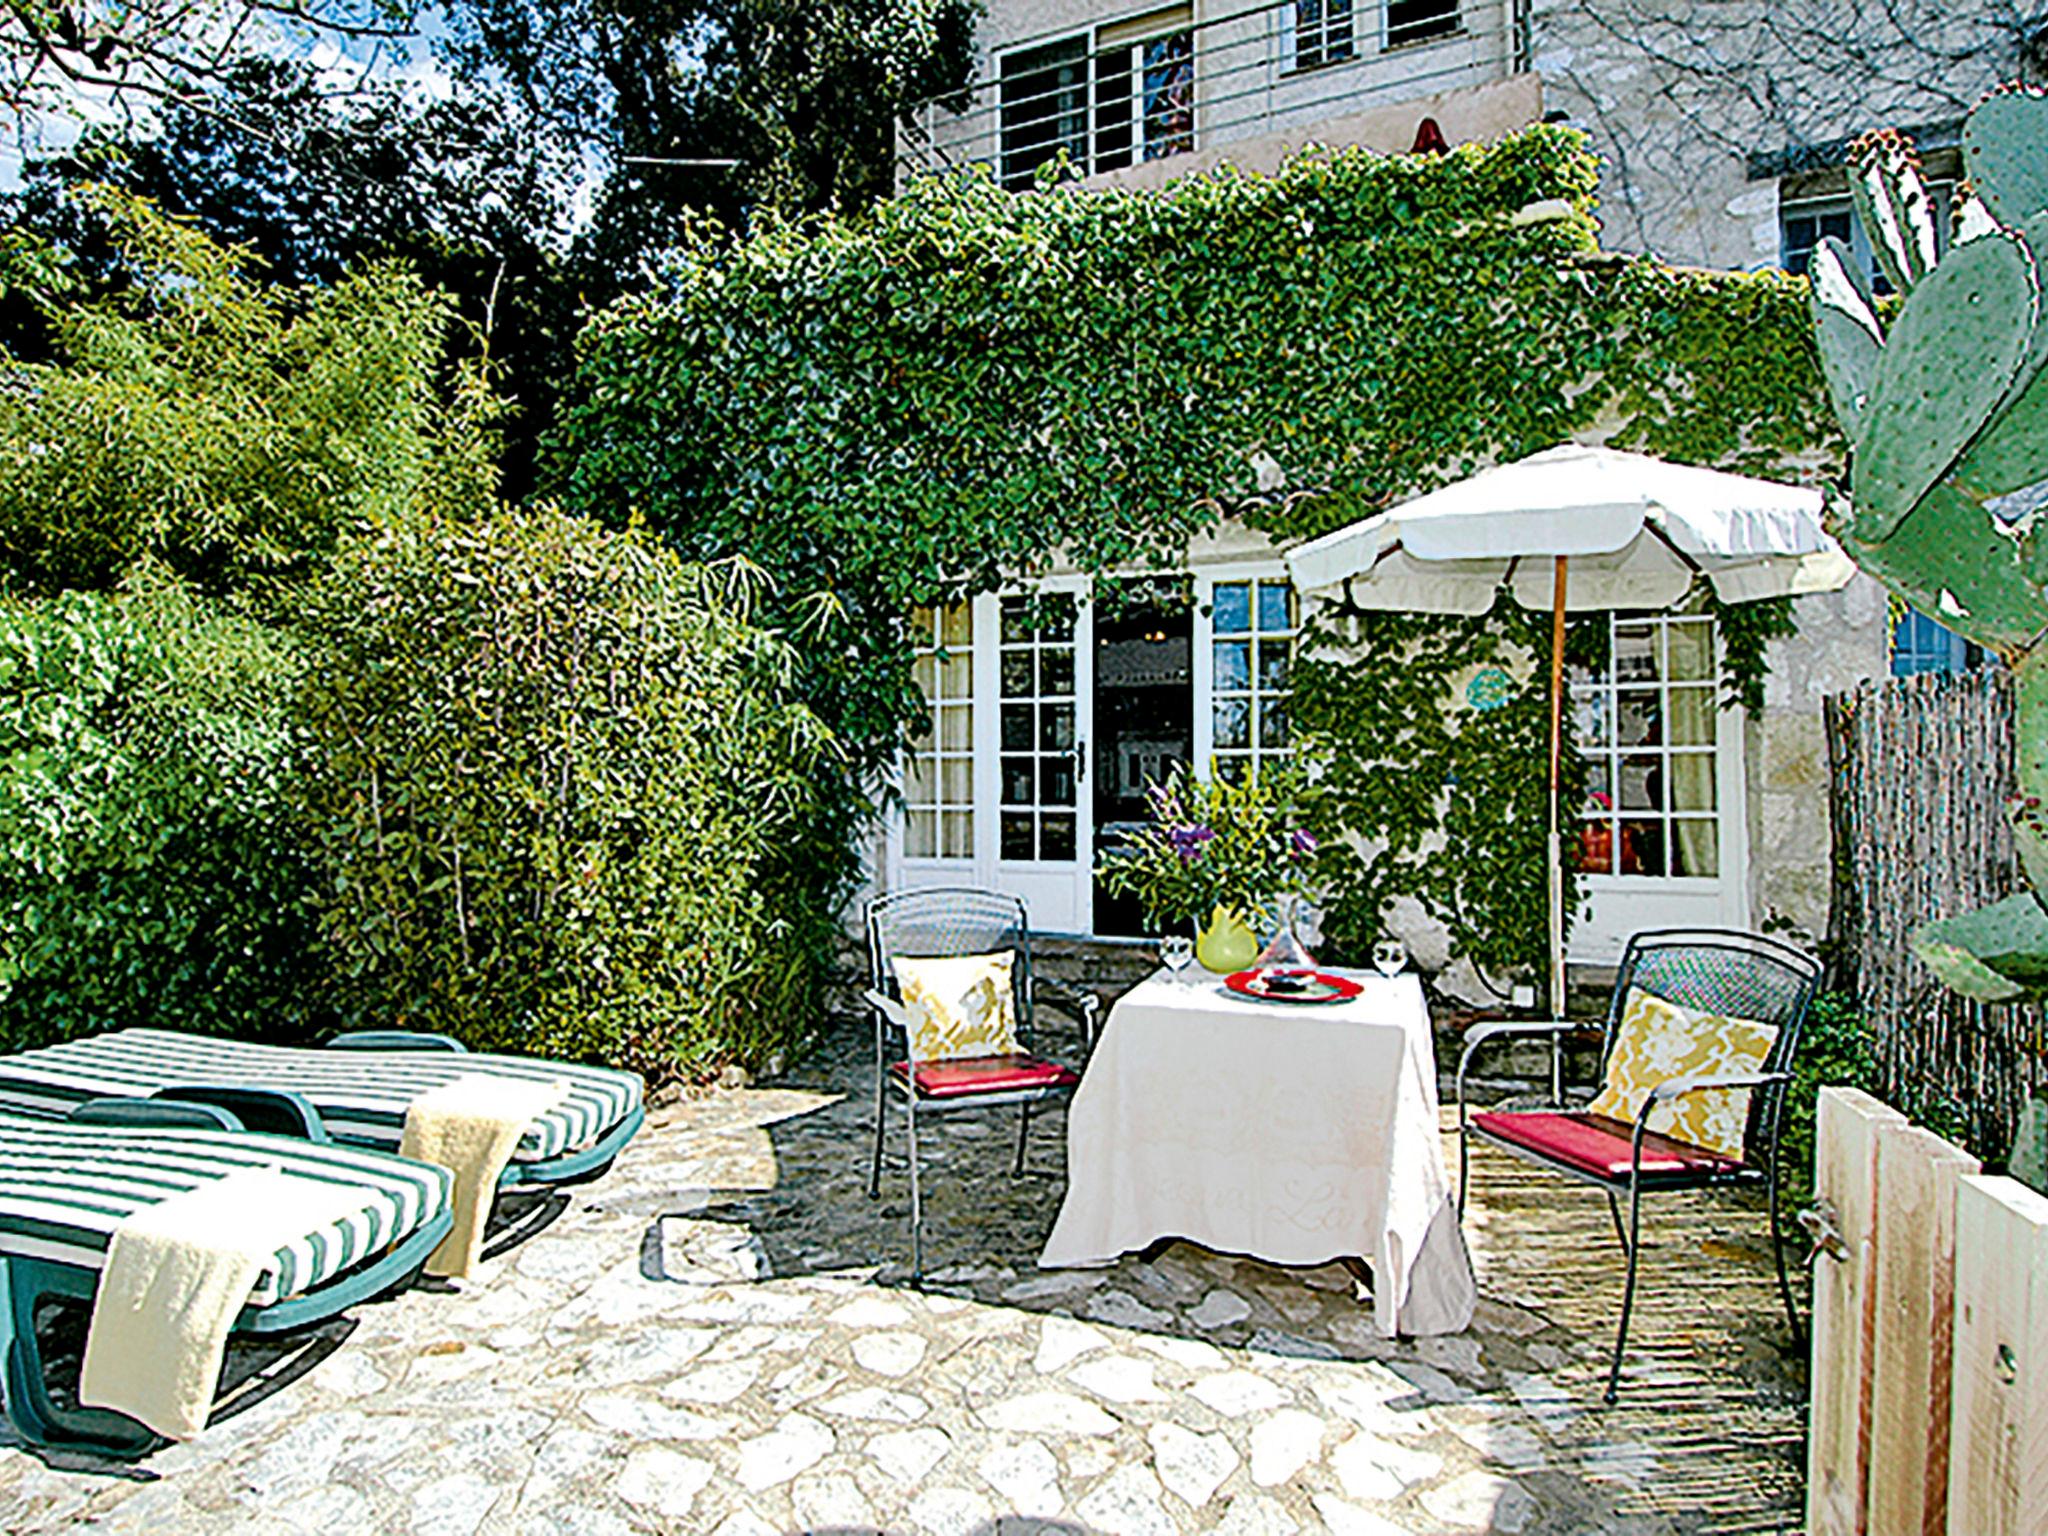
(67, 1187)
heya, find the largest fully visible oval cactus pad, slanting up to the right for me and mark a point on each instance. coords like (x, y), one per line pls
(1953, 355)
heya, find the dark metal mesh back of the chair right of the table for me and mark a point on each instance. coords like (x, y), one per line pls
(1734, 976)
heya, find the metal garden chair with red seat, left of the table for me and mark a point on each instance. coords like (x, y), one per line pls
(941, 923)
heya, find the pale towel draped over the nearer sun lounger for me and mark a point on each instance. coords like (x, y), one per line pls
(177, 1277)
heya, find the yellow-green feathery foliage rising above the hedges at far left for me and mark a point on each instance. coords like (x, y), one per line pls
(220, 429)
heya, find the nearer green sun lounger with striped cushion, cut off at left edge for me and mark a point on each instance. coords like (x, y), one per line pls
(69, 1185)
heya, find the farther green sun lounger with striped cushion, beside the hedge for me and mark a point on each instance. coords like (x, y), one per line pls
(357, 1089)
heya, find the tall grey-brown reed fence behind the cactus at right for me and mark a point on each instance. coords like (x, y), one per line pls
(1922, 769)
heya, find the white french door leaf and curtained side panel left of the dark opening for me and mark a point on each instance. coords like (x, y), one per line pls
(996, 787)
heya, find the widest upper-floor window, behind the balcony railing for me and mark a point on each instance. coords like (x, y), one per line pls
(1109, 99)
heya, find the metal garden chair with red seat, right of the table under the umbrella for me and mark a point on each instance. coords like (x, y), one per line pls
(1713, 972)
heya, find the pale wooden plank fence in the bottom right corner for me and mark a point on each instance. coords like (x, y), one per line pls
(1930, 1336)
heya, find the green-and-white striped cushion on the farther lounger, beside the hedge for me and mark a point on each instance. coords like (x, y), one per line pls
(361, 1095)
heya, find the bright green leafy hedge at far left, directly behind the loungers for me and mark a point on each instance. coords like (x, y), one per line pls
(151, 871)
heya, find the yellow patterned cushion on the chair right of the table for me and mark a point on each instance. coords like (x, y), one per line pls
(1660, 1039)
